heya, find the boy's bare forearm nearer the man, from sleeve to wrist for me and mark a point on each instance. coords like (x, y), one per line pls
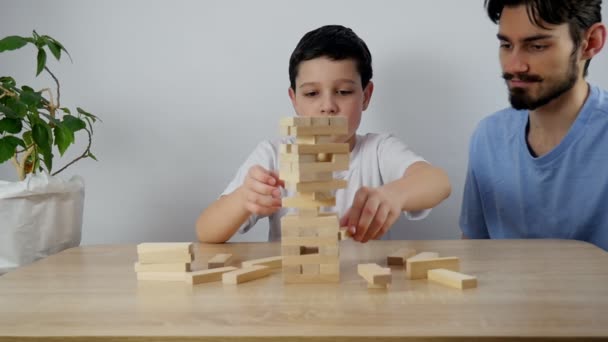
(423, 186)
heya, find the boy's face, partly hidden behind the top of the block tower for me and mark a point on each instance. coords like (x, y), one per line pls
(328, 87)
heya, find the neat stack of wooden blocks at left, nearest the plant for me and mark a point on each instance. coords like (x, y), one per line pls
(164, 261)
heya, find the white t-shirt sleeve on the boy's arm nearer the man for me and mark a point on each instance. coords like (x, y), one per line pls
(394, 157)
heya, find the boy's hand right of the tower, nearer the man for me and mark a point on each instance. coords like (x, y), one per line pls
(372, 214)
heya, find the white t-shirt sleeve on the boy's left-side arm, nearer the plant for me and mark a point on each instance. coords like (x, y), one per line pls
(264, 155)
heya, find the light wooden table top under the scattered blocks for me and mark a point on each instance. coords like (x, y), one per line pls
(531, 288)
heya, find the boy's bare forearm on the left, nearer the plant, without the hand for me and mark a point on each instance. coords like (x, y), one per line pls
(222, 219)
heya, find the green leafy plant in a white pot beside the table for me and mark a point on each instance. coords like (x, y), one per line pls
(40, 214)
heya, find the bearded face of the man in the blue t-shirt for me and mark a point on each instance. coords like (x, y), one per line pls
(538, 64)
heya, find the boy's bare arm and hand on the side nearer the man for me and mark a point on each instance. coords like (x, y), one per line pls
(374, 210)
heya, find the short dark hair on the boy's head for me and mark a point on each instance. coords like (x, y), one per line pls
(335, 42)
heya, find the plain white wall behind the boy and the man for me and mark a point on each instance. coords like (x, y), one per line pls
(187, 88)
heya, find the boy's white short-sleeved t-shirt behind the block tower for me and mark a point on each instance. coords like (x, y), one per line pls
(377, 159)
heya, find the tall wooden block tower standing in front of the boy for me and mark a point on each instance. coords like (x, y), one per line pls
(310, 238)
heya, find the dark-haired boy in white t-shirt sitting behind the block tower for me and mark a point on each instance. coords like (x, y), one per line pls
(330, 73)
